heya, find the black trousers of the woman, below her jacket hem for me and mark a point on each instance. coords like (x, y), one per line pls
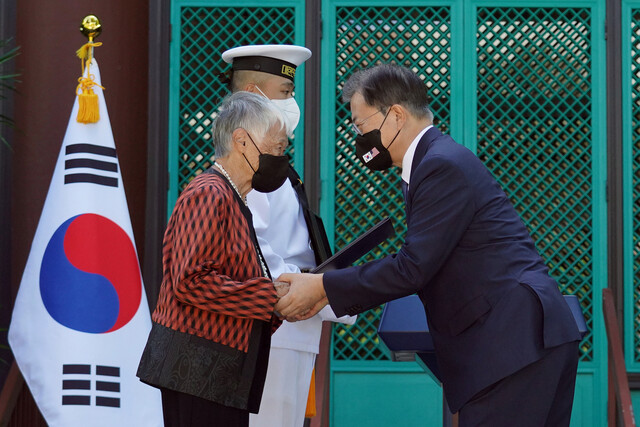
(185, 410)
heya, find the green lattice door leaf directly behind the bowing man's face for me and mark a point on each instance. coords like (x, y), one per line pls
(366, 387)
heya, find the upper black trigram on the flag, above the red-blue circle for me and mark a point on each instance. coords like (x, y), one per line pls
(101, 160)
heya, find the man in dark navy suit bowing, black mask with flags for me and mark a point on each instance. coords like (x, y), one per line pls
(505, 340)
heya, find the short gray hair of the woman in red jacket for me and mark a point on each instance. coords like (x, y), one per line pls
(253, 113)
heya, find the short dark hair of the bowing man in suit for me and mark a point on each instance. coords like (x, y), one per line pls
(384, 85)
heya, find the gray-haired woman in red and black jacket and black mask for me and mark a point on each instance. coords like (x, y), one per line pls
(209, 343)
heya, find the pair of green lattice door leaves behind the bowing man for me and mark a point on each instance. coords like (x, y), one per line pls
(523, 85)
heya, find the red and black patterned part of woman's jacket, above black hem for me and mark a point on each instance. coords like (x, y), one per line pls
(213, 285)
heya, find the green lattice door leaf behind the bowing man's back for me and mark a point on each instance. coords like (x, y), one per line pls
(538, 126)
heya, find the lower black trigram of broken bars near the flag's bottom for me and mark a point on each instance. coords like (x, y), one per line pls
(77, 385)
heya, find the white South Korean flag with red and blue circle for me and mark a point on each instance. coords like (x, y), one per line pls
(81, 318)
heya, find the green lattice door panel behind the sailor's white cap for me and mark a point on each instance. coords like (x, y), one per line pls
(201, 31)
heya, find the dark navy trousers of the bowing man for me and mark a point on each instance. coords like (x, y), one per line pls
(540, 394)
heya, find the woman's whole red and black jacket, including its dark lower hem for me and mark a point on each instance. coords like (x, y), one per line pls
(211, 328)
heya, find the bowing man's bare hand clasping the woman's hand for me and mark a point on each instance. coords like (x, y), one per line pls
(305, 298)
